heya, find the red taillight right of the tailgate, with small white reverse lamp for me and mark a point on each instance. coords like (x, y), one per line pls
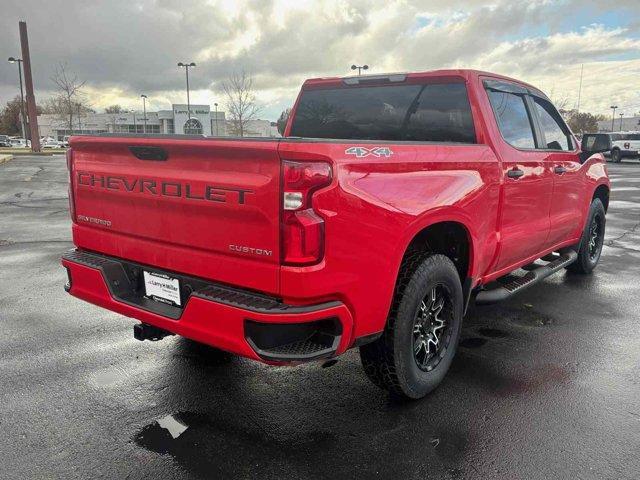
(302, 227)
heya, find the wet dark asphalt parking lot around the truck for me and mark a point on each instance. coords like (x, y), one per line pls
(546, 385)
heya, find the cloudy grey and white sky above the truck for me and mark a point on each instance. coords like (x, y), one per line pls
(123, 48)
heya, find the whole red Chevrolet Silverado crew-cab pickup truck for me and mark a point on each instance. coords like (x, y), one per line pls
(391, 201)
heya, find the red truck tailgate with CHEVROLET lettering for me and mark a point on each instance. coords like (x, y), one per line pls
(202, 207)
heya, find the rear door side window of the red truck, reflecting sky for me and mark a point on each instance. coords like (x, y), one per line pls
(512, 117)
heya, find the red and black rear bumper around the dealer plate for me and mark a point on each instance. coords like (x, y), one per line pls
(246, 323)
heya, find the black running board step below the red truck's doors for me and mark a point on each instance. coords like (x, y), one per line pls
(515, 285)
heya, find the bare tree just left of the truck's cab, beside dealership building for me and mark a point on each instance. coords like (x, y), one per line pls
(241, 102)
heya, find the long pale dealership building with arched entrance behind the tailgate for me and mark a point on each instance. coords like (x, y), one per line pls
(175, 121)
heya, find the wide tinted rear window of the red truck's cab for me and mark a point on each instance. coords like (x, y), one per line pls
(426, 113)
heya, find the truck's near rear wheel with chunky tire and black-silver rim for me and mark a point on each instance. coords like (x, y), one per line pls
(421, 336)
